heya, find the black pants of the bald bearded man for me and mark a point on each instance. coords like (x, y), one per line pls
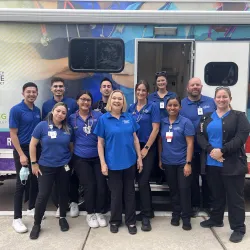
(201, 197)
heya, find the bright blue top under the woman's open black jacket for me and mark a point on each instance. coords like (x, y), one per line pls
(215, 136)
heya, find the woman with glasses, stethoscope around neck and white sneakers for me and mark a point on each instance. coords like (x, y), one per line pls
(85, 160)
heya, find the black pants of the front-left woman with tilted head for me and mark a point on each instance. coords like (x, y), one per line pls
(60, 176)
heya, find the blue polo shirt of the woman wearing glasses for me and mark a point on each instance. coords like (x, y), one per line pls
(85, 145)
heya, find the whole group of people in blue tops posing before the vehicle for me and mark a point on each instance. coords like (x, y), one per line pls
(107, 146)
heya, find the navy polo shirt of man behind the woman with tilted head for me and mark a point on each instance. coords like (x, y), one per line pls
(48, 105)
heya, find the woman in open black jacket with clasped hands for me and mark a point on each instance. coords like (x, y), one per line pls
(221, 136)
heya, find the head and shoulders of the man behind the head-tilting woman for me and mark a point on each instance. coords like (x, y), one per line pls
(58, 89)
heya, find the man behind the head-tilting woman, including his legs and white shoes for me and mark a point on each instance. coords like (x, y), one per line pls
(58, 90)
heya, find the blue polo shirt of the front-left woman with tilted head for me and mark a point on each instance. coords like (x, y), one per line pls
(55, 151)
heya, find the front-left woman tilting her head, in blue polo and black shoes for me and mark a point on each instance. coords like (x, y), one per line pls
(55, 136)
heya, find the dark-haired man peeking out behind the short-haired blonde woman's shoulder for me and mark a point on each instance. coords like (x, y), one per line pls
(106, 88)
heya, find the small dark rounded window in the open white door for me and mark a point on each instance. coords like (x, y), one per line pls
(221, 73)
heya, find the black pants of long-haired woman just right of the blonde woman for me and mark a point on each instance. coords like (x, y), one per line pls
(143, 181)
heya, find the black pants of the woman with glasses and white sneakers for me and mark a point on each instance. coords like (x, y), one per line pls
(90, 176)
